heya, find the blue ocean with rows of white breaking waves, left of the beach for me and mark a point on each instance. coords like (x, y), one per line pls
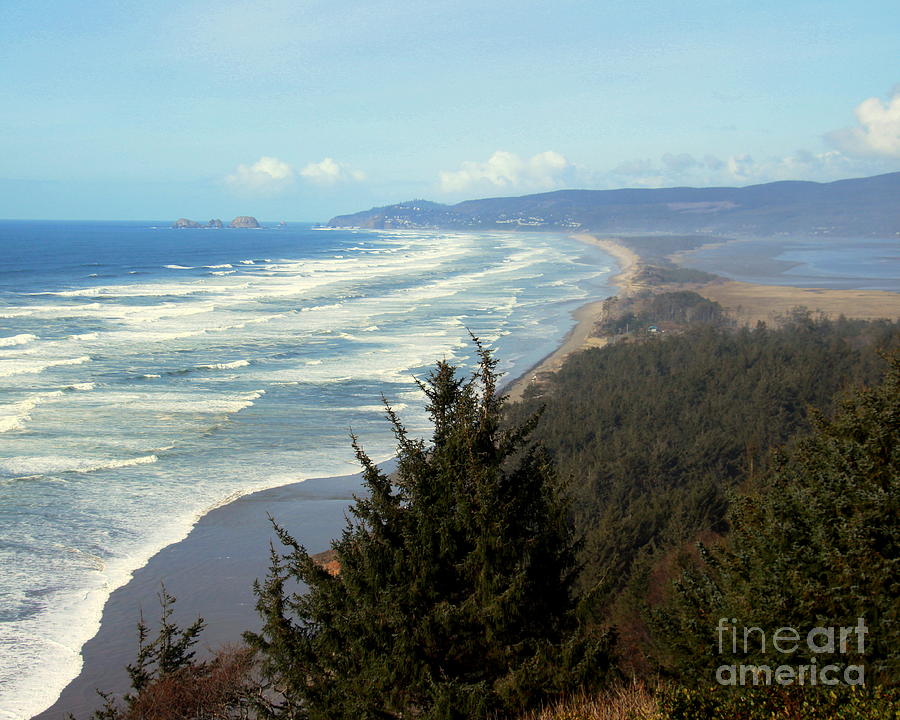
(149, 374)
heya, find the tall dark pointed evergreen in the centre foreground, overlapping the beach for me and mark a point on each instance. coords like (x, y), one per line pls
(454, 593)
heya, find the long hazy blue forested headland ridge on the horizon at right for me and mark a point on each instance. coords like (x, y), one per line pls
(848, 208)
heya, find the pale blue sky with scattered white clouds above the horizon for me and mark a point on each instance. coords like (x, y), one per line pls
(303, 109)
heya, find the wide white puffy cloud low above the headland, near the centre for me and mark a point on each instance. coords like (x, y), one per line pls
(503, 169)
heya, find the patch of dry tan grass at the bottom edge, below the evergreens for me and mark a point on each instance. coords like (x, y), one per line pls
(625, 702)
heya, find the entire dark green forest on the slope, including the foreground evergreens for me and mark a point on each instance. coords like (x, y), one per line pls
(542, 552)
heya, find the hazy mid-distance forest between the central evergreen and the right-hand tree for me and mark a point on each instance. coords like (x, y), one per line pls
(656, 434)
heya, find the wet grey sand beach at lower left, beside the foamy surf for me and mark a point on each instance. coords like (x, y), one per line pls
(211, 573)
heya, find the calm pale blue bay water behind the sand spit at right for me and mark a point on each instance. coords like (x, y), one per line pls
(822, 262)
